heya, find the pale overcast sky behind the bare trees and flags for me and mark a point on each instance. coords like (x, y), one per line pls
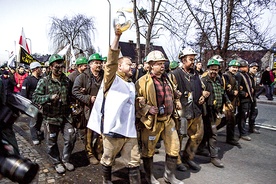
(34, 17)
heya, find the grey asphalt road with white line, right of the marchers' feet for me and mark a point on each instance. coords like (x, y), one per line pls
(254, 163)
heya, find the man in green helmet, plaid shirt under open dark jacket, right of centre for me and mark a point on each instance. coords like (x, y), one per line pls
(214, 104)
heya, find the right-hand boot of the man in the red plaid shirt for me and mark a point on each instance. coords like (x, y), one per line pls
(170, 167)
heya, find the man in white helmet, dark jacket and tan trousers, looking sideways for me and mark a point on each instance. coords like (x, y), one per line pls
(193, 96)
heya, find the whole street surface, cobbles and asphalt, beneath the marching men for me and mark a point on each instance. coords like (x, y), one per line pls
(254, 163)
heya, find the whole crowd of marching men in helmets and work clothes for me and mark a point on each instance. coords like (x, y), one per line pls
(115, 107)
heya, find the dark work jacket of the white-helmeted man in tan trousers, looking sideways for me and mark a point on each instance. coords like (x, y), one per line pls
(189, 84)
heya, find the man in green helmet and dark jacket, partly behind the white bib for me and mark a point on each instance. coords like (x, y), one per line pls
(85, 89)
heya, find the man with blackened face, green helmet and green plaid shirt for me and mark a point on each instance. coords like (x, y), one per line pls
(53, 93)
